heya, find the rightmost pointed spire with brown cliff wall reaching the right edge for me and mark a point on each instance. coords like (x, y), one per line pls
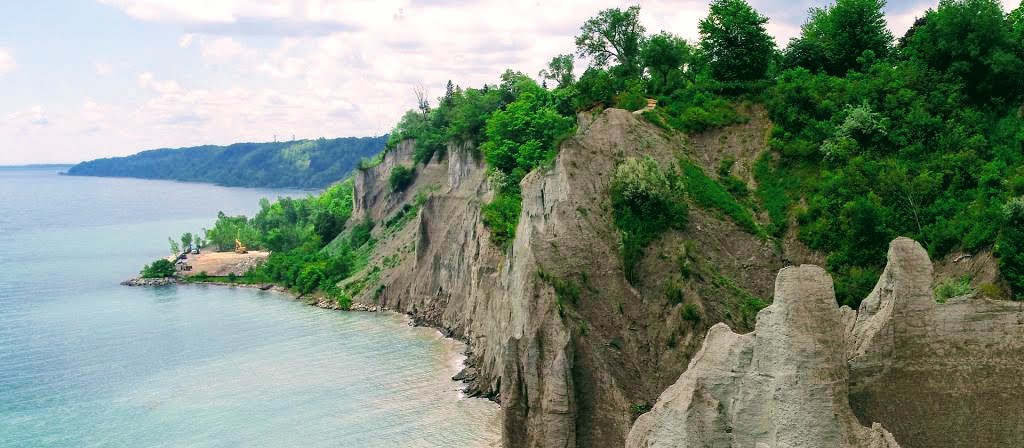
(937, 375)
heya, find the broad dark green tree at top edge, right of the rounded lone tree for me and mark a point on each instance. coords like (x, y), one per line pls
(842, 37)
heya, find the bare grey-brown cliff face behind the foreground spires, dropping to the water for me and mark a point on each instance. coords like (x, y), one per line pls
(568, 371)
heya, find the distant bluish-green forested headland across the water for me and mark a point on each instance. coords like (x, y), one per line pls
(298, 164)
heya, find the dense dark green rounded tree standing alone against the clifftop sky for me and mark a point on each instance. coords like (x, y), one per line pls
(735, 40)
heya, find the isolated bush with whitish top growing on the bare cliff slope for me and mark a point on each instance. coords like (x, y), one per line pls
(646, 203)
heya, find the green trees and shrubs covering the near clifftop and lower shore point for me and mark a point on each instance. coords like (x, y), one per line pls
(875, 137)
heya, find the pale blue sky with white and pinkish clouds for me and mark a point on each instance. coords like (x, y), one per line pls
(88, 79)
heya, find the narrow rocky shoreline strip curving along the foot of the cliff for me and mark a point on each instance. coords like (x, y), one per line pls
(466, 372)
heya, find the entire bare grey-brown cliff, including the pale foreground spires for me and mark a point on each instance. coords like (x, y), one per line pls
(576, 369)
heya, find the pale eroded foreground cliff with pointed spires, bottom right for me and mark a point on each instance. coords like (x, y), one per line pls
(934, 375)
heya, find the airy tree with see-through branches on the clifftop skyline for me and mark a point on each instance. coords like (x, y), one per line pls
(613, 35)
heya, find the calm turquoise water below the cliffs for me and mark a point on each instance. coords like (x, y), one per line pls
(86, 363)
